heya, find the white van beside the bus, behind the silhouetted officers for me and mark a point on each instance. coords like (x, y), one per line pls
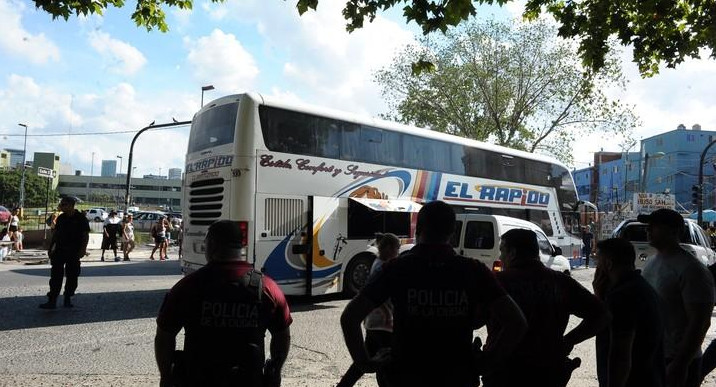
(478, 236)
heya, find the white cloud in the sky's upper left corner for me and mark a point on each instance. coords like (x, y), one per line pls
(16, 41)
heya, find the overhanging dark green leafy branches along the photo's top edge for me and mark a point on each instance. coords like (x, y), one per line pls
(661, 31)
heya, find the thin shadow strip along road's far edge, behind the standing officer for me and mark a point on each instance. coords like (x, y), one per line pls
(125, 269)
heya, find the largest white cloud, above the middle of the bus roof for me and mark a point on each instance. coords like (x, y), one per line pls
(319, 60)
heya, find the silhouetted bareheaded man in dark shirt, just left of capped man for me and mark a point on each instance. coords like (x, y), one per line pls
(630, 352)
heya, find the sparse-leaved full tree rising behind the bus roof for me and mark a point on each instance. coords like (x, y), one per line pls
(511, 84)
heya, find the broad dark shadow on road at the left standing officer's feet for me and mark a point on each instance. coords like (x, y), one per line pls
(23, 313)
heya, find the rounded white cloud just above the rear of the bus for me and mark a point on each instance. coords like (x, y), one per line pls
(220, 59)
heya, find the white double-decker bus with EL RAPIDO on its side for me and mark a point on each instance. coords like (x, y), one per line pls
(311, 187)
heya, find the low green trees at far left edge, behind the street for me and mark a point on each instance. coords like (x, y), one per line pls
(35, 189)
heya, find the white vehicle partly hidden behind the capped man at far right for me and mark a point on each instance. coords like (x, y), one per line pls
(693, 240)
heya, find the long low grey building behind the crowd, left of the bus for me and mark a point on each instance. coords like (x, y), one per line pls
(143, 192)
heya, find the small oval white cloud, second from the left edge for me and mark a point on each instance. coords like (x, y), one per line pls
(120, 57)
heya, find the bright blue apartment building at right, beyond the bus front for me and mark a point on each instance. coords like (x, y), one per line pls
(667, 163)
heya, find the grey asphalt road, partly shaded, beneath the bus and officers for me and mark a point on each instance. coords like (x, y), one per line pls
(107, 339)
